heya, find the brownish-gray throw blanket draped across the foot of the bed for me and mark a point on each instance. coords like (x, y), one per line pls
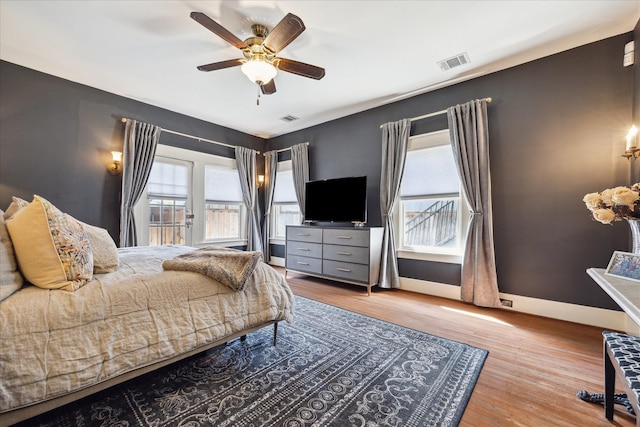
(231, 267)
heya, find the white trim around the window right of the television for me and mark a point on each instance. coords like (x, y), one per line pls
(453, 256)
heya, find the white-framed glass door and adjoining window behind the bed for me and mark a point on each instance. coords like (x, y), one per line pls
(193, 199)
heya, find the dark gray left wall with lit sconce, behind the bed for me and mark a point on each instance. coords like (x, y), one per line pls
(56, 137)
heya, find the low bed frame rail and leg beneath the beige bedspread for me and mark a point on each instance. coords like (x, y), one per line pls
(26, 412)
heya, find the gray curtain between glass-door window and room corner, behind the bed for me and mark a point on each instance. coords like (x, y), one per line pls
(246, 161)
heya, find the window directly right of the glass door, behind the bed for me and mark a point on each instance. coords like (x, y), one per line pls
(223, 202)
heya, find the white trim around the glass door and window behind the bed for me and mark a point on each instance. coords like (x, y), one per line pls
(199, 161)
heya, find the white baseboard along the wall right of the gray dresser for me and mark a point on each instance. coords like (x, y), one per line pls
(604, 318)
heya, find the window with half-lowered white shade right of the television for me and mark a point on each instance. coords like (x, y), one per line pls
(428, 214)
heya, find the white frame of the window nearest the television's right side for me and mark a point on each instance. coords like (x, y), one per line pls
(449, 255)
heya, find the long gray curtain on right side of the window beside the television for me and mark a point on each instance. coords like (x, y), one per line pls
(470, 142)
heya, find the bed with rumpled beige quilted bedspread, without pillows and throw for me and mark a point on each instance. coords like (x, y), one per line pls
(57, 346)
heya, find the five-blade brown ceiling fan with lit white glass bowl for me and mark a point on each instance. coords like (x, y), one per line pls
(260, 63)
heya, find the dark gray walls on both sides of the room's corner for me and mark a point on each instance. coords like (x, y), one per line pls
(557, 128)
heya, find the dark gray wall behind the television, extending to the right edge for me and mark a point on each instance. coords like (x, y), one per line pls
(557, 129)
